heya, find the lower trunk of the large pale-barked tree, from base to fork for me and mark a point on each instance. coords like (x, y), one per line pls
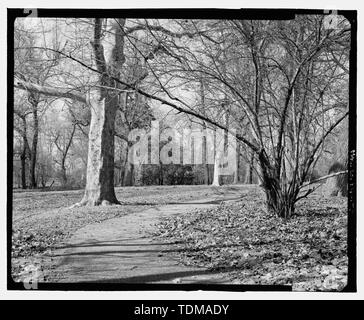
(100, 163)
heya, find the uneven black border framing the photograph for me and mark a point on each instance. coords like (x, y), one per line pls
(203, 13)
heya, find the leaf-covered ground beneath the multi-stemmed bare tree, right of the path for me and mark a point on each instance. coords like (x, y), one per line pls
(308, 251)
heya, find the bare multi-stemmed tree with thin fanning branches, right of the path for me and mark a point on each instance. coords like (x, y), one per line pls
(285, 80)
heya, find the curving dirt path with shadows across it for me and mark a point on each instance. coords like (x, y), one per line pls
(122, 250)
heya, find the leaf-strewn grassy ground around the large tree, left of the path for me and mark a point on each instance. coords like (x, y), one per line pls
(43, 220)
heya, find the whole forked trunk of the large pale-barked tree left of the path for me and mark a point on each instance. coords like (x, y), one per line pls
(104, 104)
